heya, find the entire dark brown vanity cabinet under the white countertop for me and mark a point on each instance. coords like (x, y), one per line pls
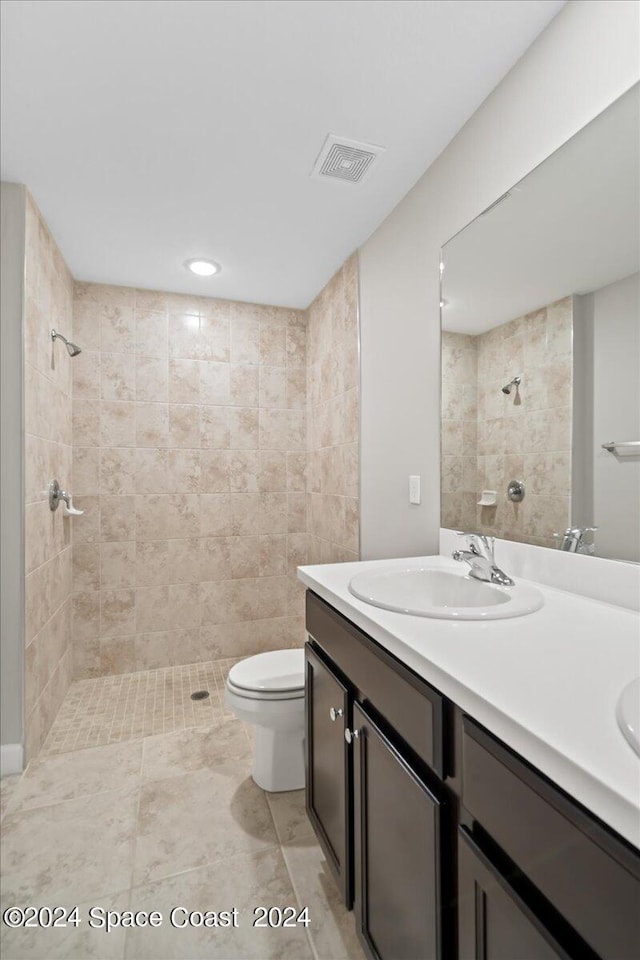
(446, 843)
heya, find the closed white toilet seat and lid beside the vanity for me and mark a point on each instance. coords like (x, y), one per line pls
(276, 675)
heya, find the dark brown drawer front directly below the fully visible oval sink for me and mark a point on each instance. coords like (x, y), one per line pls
(410, 706)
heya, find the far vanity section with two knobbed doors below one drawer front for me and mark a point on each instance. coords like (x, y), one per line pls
(373, 731)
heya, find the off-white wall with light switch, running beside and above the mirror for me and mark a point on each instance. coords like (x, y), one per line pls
(584, 60)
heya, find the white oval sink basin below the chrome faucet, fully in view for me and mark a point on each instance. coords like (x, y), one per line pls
(448, 595)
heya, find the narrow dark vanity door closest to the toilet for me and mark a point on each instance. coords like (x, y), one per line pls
(328, 777)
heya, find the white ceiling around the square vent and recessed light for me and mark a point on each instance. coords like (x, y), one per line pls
(152, 131)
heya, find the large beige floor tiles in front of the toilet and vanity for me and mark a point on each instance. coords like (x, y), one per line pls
(162, 821)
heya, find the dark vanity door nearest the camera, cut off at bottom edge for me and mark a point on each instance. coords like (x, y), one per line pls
(494, 923)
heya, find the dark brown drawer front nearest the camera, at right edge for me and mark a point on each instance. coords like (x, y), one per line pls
(589, 876)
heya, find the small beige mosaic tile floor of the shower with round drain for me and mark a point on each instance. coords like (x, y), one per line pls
(135, 705)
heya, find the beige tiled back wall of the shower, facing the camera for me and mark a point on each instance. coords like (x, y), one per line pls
(189, 446)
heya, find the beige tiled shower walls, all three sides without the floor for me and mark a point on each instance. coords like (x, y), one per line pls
(181, 430)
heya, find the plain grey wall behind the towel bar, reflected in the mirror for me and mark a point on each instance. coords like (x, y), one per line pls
(616, 416)
